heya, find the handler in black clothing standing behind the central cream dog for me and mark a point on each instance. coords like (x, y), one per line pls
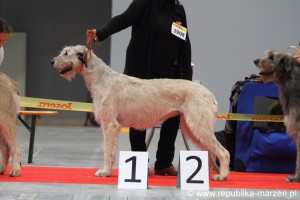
(159, 48)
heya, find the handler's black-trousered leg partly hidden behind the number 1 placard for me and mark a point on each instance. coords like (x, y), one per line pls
(137, 140)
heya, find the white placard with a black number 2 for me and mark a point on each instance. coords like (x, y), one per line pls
(194, 170)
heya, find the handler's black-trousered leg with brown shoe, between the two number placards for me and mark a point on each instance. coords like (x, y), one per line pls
(166, 147)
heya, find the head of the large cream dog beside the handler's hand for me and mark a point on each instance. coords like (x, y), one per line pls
(70, 61)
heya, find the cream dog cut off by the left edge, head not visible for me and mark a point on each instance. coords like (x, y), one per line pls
(9, 105)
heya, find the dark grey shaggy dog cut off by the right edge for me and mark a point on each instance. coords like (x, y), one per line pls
(286, 72)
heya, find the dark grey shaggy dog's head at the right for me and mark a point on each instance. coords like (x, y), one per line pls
(275, 66)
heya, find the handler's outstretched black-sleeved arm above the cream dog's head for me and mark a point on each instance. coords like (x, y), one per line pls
(122, 21)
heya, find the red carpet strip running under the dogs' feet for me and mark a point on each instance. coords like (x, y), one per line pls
(86, 176)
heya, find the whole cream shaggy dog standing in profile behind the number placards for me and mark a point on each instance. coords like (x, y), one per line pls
(125, 101)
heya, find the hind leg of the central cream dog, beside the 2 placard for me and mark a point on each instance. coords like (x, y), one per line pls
(201, 133)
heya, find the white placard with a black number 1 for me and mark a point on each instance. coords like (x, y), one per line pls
(133, 170)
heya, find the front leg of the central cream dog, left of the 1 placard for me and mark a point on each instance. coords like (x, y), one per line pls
(110, 136)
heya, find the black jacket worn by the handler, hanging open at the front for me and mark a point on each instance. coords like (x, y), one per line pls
(141, 15)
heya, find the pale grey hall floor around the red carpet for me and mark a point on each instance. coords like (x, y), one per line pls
(82, 147)
